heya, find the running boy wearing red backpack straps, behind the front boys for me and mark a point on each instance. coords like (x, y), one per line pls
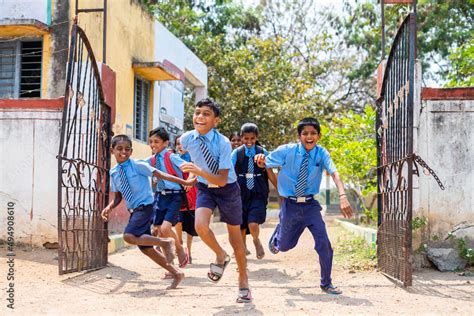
(168, 195)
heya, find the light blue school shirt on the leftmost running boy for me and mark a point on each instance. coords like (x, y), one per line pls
(138, 174)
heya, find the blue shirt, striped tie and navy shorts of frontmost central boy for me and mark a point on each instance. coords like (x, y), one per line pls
(212, 152)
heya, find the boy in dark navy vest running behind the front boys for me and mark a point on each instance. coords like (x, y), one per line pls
(253, 182)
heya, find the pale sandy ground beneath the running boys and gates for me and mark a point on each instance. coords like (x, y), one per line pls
(286, 283)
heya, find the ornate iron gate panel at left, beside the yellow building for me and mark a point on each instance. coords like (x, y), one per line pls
(83, 162)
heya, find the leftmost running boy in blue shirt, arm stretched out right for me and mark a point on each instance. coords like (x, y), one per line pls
(130, 180)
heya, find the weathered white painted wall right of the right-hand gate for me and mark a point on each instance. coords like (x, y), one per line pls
(446, 143)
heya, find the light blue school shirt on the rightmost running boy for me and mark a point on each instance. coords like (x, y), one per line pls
(289, 157)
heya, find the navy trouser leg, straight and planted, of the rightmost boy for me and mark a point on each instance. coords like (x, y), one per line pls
(322, 245)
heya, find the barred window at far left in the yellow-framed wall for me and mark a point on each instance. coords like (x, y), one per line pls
(20, 69)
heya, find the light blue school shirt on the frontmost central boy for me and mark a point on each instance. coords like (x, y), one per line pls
(219, 147)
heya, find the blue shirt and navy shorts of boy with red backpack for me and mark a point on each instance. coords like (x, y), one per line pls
(168, 195)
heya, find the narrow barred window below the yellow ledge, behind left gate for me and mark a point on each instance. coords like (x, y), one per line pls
(141, 106)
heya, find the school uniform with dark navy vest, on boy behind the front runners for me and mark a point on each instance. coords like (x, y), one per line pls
(253, 182)
